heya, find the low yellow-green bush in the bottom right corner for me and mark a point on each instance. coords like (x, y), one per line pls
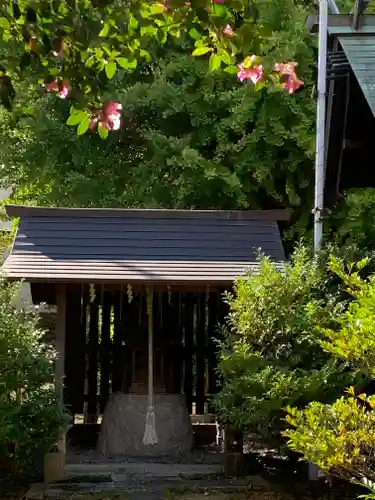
(339, 438)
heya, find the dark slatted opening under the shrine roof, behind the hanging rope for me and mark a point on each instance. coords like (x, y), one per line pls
(106, 345)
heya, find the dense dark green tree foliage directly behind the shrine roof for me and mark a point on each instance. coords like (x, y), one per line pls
(190, 139)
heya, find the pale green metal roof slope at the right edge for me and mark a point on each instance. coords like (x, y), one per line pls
(360, 51)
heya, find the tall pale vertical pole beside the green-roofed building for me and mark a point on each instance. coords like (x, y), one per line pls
(320, 125)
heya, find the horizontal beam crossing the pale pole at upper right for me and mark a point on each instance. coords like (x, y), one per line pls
(342, 24)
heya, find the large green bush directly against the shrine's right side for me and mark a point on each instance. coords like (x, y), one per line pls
(272, 355)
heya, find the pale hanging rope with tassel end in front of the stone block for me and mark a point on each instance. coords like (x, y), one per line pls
(150, 437)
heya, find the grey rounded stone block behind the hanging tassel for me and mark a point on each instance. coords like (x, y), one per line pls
(124, 421)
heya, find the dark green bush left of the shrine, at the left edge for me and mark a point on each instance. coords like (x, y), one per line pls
(31, 417)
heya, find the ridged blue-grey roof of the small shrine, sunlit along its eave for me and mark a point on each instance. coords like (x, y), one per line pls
(140, 246)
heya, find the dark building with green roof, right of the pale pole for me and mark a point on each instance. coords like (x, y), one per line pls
(350, 116)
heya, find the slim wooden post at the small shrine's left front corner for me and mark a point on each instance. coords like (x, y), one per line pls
(60, 348)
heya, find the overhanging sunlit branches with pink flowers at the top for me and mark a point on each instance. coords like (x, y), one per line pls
(75, 47)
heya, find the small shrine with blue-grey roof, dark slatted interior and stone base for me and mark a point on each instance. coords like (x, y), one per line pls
(139, 299)
